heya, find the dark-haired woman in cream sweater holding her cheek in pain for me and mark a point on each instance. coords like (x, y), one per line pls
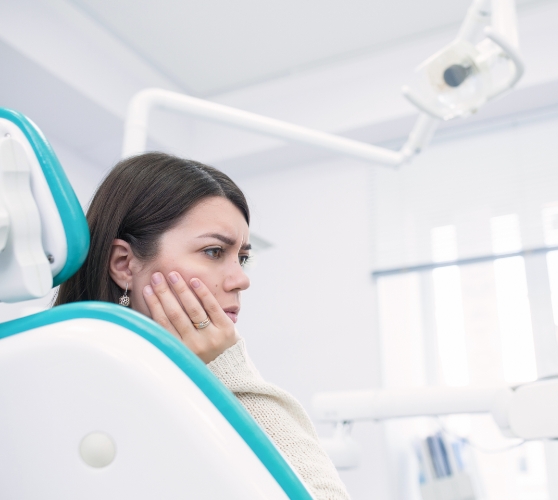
(170, 238)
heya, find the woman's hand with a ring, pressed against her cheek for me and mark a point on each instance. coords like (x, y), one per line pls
(178, 316)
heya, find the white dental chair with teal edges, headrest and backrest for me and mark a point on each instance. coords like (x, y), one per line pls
(96, 400)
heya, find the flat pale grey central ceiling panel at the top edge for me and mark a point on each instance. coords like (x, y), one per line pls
(211, 46)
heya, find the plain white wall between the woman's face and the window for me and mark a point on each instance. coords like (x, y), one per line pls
(309, 316)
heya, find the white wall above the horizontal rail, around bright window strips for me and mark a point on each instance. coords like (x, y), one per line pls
(464, 182)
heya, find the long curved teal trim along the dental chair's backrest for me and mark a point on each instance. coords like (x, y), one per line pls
(190, 364)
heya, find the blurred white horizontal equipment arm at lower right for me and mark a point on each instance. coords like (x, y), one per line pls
(528, 411)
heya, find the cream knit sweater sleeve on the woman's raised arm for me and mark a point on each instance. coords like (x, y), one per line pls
(283, 419)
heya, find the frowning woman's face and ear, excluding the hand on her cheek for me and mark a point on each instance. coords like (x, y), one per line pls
(211, 242)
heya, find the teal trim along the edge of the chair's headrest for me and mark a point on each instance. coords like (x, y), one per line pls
(73, 219)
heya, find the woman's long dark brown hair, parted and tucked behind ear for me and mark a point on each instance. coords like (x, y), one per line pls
(141, 198)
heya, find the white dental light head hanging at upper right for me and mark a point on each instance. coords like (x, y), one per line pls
(479, 65)
